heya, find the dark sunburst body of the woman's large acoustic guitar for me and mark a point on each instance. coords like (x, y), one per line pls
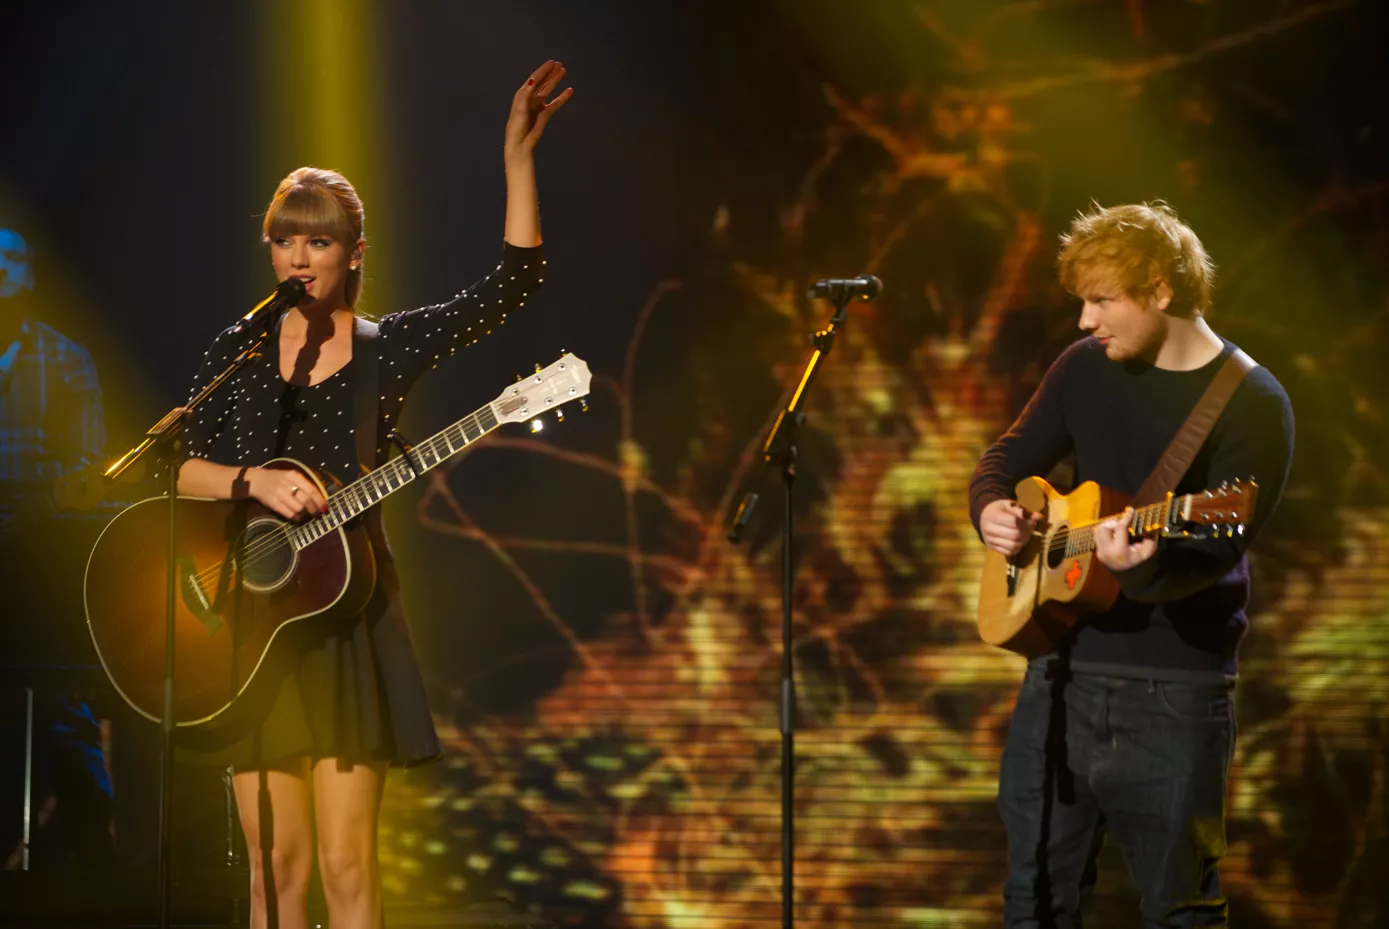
(241, 589)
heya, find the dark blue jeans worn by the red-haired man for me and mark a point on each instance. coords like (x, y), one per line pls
(1145, 762)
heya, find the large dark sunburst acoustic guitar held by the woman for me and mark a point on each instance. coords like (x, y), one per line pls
(247, 576)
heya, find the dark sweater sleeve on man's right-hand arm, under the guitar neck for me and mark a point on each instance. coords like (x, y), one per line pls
(1254, 441)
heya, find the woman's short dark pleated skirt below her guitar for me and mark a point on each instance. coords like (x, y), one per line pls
(354, 694)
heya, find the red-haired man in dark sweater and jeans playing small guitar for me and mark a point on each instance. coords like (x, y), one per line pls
(1129, 728)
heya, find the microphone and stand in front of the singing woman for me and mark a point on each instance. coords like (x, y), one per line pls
(165, 440)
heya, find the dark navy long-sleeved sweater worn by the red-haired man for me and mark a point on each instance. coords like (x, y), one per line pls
(1181, 614)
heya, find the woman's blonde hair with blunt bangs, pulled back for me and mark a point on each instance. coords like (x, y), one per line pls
(319, 202)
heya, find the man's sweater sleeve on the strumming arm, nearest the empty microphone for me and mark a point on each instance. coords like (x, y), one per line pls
(1037, 441)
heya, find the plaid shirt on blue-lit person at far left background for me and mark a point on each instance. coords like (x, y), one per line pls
(51, 406)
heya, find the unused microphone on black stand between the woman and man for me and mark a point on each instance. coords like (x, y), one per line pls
(780, 452)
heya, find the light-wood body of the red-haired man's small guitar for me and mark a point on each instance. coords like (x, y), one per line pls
(1030, 602)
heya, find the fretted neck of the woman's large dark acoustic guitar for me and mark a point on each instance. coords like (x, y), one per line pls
(374, 487)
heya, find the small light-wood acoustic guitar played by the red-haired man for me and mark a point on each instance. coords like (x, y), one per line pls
(1030, 602)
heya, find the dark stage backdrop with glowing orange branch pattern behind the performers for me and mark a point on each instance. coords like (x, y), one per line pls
(604, 664)
